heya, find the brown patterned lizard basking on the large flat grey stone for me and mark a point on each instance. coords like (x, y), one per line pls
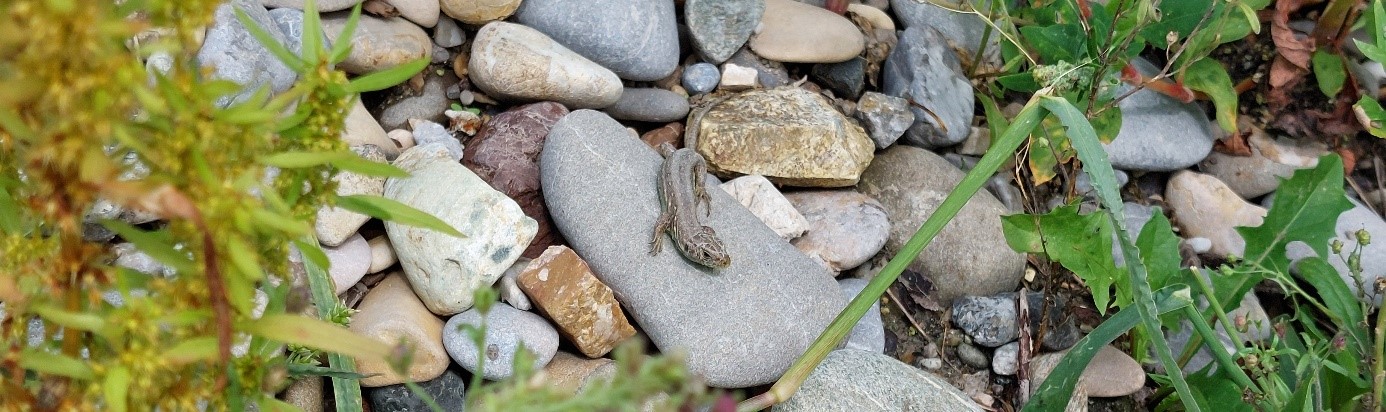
(681, 194)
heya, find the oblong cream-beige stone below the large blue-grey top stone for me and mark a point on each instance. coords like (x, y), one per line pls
(519, 63)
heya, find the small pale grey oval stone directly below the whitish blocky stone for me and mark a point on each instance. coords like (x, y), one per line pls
(508, 332)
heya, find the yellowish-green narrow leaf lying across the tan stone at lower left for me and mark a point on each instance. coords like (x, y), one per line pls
(318, 335)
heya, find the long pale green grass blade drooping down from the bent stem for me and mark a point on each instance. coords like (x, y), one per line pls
(1104, 180)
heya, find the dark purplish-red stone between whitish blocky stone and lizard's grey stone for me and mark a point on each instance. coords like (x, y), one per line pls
(507, 155)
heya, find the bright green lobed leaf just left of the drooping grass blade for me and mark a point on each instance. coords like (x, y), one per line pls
(1080, 243)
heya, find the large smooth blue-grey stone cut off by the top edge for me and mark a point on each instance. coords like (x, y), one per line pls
(637, 40)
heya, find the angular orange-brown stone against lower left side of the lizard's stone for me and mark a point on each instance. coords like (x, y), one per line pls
(586, 311)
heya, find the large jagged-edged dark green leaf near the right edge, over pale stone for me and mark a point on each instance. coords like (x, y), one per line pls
(1306, 210)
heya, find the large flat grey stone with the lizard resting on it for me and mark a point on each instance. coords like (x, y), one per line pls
(782, 300)
